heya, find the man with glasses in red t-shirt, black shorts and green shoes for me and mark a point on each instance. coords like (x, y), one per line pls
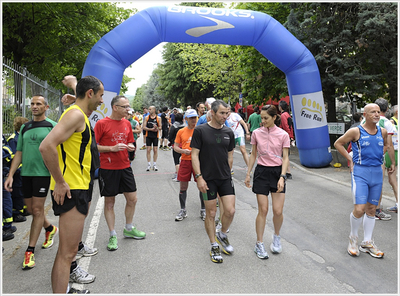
(114, 139)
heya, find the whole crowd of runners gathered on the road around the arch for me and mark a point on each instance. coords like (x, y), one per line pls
(202, 141)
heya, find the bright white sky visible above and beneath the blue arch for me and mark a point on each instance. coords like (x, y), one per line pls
(141, 69)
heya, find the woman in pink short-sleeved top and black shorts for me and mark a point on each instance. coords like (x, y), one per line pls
(271, 144)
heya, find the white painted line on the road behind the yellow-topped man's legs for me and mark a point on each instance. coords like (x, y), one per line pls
(84, 262)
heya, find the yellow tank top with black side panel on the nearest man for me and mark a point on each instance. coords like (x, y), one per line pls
(75, 157)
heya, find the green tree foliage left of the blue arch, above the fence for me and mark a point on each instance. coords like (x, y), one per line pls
(53, 39)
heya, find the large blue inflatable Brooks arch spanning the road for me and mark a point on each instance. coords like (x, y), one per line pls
(122, 46)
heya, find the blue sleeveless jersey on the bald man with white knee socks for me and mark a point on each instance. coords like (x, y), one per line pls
(368, 149)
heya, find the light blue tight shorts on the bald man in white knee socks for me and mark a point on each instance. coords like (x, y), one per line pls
(366, 184)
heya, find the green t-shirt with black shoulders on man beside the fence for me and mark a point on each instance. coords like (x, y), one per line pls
(31, 136)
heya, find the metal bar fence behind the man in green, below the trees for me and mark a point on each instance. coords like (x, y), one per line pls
(18, 87)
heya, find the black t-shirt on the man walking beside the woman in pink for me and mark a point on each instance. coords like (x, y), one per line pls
(214, 145)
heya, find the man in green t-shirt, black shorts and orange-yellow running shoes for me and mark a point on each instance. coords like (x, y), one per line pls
(35, 176)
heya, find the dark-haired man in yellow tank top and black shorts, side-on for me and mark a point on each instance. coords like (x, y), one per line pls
(66, 153)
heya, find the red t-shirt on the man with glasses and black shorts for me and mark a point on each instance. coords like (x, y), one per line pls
(110, 132)
